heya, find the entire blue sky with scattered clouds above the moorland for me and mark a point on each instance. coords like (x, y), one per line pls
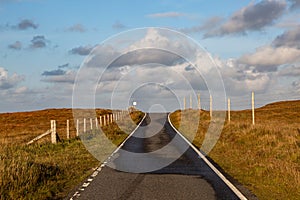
(46, 44)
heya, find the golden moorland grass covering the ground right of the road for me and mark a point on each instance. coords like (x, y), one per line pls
(264, 157)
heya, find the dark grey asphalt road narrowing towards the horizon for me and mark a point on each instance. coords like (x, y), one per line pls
(145, 172)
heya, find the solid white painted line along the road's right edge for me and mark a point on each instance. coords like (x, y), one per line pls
(221, 176)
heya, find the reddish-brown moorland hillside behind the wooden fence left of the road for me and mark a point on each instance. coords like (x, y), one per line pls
(21, 127)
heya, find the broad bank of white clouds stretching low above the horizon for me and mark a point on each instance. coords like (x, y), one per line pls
(252, 72)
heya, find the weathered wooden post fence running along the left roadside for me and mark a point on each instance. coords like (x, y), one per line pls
(104, 120)
